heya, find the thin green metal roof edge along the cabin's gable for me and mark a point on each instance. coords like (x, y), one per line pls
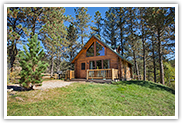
(107, 47)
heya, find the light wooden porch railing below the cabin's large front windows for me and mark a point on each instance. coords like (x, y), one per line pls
(102, 74)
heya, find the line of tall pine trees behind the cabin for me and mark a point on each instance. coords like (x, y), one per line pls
(146, 36)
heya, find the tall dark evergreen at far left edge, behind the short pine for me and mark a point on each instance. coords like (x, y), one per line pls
(14, 32)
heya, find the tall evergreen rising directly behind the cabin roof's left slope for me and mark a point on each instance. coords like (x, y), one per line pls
(81, 23)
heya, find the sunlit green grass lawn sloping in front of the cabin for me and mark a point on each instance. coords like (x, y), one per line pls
(91, 99)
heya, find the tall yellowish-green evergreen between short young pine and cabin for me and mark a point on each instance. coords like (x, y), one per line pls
(54, 33)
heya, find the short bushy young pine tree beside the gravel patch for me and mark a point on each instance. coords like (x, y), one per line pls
(30, 61)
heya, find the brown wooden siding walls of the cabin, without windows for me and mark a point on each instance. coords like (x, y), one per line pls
(124, 71)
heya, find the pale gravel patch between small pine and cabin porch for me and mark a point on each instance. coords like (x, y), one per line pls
(53, 84)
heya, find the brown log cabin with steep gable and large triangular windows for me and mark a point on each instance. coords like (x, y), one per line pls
(97, 60)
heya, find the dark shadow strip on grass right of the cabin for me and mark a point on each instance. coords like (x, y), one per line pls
(148, 84)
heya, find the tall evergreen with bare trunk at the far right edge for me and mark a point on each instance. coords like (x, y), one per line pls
(163, 21)
